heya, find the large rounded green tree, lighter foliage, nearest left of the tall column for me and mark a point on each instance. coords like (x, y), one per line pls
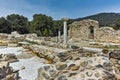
(41, 24)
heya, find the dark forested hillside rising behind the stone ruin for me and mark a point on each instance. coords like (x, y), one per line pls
(105, 19)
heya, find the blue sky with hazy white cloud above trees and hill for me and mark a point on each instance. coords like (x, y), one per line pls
(58, 8)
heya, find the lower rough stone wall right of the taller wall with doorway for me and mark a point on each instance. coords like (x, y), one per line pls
(108, 34)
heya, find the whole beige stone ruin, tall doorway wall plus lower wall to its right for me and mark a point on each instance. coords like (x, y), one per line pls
(89, 29)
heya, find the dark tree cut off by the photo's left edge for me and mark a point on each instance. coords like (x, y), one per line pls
(4, 26)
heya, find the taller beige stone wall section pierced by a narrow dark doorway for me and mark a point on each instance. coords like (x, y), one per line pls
(81, 29)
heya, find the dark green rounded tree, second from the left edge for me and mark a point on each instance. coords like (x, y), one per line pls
(18, 23)
